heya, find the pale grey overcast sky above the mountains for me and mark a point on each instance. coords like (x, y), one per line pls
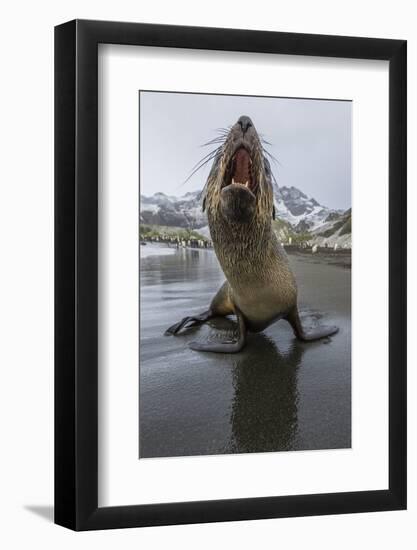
(310, 138)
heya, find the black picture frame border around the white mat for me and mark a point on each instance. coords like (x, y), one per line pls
(76, 272)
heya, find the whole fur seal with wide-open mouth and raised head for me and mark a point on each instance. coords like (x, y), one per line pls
(260, 287)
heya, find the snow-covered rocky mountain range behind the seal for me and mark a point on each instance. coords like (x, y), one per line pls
(301, 214)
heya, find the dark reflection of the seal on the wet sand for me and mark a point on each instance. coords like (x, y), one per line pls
(264, 407)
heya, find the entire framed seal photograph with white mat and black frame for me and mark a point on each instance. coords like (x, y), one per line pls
(230, 251)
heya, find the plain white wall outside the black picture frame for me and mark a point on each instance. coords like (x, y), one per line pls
(26, 301)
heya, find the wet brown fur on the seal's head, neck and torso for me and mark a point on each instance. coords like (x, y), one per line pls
(259, 279)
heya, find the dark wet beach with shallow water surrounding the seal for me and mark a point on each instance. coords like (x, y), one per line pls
(278, 394)
